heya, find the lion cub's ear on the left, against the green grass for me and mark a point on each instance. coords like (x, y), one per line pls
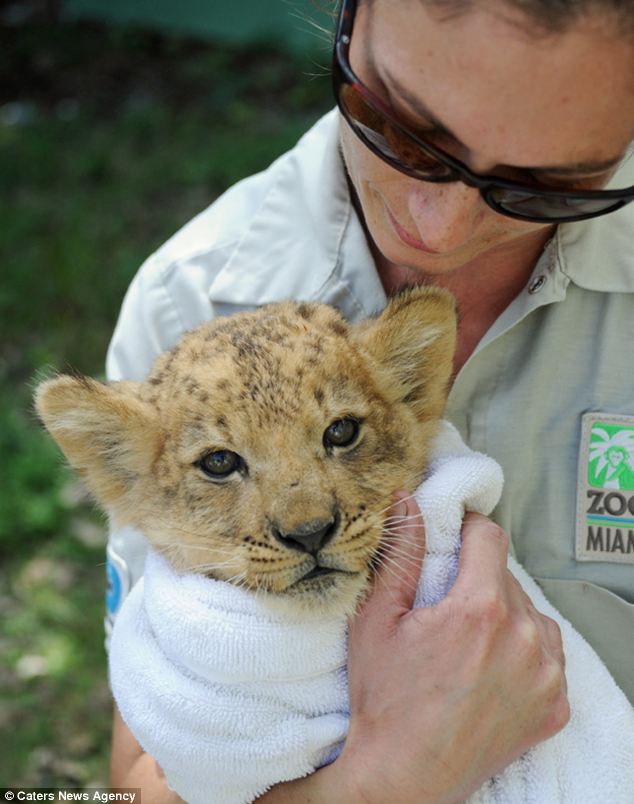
(107, 434)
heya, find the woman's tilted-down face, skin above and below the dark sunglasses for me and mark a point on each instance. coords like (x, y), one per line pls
(500, 97)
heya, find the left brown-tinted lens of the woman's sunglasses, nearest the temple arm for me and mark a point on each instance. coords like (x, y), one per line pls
(386, 139)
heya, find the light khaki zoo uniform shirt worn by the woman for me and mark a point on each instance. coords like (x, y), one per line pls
(549, 391)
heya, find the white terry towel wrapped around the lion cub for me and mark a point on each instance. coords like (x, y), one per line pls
(230, 698)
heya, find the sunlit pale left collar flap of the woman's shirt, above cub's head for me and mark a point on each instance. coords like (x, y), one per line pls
(305, 241)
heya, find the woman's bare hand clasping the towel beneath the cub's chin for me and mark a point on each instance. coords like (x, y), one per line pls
(442, 698)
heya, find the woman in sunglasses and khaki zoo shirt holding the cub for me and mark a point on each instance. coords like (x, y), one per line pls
(470, 140)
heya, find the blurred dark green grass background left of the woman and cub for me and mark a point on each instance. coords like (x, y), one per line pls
(111, 138)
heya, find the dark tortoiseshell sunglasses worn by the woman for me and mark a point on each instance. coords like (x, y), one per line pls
(375, 125)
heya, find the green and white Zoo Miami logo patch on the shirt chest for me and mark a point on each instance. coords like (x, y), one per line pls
(605, 489)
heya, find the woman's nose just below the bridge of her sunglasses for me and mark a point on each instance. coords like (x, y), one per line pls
(445, 215)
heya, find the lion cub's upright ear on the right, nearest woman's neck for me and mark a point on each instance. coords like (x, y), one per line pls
(414, 340)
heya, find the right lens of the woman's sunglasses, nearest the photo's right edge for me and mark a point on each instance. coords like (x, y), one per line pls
(550, 208)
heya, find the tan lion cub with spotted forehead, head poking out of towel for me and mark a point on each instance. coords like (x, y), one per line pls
(264, 448)
